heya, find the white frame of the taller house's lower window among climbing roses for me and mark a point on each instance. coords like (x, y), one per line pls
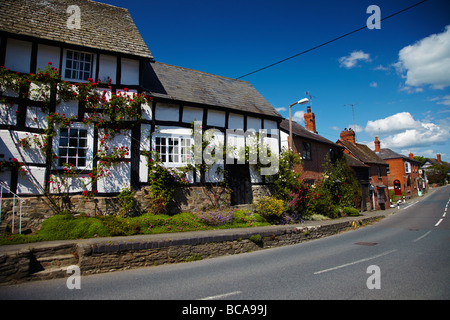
(88, 148)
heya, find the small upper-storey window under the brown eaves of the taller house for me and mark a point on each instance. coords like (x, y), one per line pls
(78, 65)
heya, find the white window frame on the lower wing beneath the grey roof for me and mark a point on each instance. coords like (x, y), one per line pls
(174, 150)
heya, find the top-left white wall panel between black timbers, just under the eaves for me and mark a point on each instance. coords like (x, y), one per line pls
(18, 55)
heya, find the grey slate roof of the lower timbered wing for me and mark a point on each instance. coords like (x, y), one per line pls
(193, 86)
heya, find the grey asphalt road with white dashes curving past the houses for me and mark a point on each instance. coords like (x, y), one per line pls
(405, 256)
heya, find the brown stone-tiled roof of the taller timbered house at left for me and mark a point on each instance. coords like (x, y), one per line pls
(103, 26)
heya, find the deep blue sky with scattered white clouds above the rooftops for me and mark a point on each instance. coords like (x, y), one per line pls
(397, 76)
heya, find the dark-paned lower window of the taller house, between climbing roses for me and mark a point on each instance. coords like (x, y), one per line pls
(73, 147)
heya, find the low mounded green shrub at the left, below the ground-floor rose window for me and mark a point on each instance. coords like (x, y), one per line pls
(66, 226)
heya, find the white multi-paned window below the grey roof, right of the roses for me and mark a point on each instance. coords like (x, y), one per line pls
(173, 149)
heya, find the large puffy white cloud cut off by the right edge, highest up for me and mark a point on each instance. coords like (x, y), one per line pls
(427, 62)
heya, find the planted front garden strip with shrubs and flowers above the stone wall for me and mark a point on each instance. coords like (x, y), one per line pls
(293, 201)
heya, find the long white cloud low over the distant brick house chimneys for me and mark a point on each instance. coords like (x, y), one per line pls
(402, 131)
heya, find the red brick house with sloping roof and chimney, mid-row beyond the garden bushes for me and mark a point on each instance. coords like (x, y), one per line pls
(371, 171)
